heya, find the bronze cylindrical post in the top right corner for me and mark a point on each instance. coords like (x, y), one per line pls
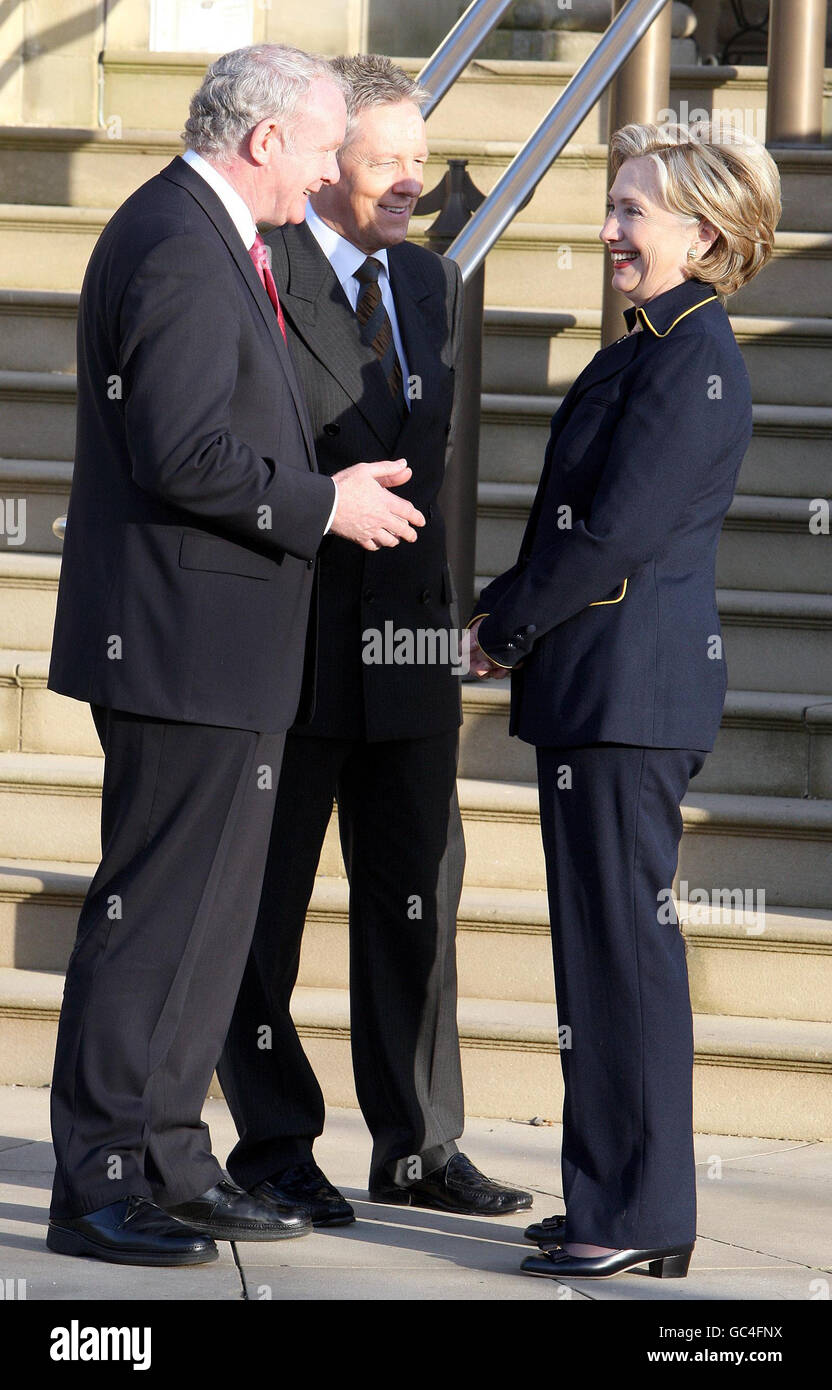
(797, 52)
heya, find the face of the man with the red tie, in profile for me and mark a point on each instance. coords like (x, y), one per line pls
(294, 169)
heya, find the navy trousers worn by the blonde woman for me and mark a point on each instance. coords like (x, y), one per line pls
(612, 826)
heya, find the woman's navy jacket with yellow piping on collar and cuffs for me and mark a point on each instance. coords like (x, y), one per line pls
(612, 605)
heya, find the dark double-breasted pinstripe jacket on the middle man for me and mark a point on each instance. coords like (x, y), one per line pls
(353, 420)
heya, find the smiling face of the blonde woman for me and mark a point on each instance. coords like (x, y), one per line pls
(648, 244)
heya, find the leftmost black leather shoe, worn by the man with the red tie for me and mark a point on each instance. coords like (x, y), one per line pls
(131, 1232)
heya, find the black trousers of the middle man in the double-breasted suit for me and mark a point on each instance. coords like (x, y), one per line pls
(402, 840)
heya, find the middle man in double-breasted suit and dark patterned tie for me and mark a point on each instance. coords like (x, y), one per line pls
(376, 333)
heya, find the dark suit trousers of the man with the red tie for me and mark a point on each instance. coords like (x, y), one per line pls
(162, 945)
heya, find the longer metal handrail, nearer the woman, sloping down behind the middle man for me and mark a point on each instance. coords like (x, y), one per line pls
(527, 169)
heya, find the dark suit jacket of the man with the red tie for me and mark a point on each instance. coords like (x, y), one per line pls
(197, 511)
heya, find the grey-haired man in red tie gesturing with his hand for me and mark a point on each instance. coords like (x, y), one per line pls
(195, 519)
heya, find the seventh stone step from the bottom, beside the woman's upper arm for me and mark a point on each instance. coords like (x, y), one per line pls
(791, 452)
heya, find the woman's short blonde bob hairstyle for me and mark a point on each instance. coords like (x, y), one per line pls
(716, 172)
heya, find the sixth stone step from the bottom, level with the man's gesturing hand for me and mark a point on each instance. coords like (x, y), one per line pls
(766, 543)
